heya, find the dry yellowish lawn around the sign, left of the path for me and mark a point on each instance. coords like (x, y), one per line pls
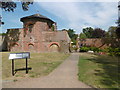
(40, 63)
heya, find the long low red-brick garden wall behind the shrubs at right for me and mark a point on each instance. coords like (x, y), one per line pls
(100, 43)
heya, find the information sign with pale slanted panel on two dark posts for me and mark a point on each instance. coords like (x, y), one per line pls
(23, 55)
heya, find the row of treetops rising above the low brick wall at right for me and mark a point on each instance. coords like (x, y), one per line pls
(113, 32)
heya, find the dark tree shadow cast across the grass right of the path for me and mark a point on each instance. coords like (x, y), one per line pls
(109, 70)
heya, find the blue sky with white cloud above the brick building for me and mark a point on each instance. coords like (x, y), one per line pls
(67, 14)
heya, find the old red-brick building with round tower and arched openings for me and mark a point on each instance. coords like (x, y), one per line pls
(39, 34)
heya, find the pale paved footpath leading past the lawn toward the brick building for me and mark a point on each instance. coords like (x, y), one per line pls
(65, 76)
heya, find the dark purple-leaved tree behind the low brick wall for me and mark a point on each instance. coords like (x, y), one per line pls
(98, 33)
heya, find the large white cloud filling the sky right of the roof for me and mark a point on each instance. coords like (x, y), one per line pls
(79, 15)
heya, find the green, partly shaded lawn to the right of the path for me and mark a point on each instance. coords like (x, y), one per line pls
(99, 71)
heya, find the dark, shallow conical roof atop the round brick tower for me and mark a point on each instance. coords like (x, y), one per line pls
(39, 16)
